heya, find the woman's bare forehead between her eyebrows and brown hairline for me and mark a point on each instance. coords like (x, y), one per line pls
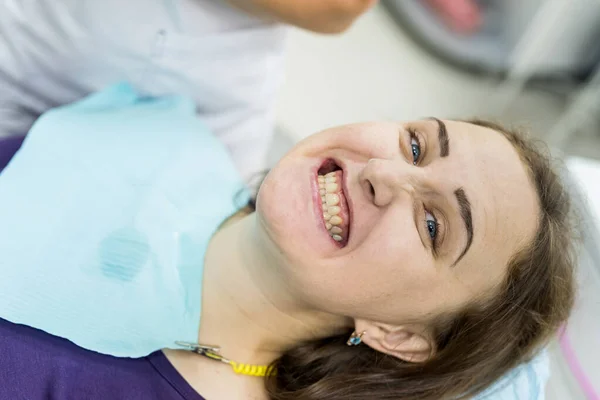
(504, 201)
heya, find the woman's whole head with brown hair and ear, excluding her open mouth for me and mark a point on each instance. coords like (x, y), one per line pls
(458, 264)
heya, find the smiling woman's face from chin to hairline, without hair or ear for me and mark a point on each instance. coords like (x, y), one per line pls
(420, 217)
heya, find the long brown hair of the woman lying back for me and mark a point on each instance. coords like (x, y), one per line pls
(476, 345)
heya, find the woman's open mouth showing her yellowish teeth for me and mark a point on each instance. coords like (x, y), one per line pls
(336, 214)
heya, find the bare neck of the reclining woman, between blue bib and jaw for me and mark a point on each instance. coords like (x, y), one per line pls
(248, 308)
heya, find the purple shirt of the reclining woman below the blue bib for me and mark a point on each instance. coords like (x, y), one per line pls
(37, 366)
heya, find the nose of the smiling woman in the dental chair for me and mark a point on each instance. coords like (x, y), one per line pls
(384, 180)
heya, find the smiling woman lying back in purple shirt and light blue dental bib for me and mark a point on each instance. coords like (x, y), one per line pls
(417, 260)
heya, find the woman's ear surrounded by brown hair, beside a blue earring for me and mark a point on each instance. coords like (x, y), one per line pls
(410, 343)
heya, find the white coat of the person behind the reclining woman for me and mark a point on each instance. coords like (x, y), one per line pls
(54, 52)
